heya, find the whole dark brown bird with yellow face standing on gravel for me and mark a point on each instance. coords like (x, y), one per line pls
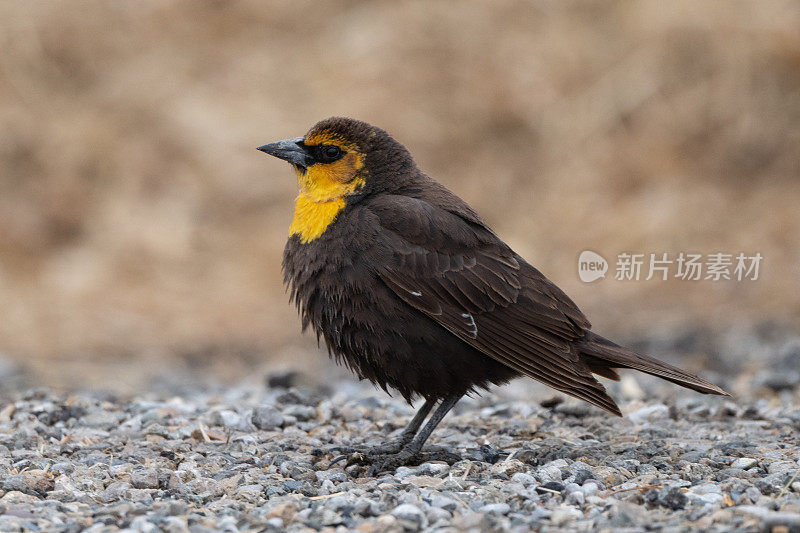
(411, 289)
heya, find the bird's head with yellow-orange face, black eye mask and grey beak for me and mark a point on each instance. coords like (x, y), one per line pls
(341, 157)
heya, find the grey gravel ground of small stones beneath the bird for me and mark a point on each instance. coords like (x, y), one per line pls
(252, 458)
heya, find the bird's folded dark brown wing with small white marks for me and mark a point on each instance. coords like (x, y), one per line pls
(457, 272)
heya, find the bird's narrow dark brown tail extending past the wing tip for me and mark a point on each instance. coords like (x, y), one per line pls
(603, 357)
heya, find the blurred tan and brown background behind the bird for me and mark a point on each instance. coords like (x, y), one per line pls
(141, 232)
